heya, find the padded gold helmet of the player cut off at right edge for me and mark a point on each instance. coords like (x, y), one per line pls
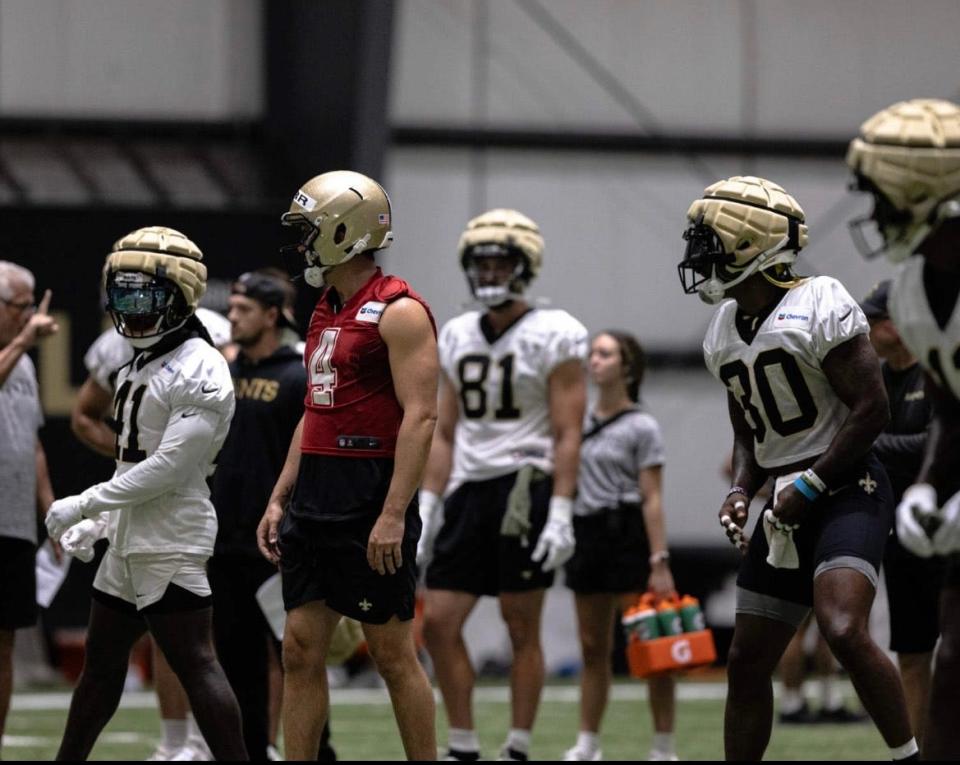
(908, 157)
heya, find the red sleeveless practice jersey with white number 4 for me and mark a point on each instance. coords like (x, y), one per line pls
(351, 407)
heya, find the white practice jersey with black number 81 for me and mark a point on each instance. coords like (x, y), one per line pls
(501, 384)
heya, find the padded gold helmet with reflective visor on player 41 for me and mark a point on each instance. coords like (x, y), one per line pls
(153, 281)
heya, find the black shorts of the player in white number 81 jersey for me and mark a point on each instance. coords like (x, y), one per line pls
(471, 554)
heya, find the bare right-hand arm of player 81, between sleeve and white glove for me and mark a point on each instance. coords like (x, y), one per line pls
(567, 394)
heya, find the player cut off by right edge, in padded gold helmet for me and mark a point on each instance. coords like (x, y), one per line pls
(908, 158)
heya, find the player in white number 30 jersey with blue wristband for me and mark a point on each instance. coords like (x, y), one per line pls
(806, 401)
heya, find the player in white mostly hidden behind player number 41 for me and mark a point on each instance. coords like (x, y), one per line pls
(91, 422)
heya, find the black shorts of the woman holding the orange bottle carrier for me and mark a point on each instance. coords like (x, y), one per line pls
(612, 553)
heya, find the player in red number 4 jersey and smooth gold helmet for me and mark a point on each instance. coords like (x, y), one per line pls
(347, 542)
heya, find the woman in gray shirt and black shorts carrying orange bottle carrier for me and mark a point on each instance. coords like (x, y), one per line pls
(621, 540)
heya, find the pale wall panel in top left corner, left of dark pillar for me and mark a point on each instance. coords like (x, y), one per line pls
(130, 59)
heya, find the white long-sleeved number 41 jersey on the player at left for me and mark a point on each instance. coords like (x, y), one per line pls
(173, 412)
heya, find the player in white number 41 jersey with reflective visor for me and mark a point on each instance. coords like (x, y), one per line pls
(173, 404)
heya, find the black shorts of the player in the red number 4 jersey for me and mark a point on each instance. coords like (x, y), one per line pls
(326, 559)
